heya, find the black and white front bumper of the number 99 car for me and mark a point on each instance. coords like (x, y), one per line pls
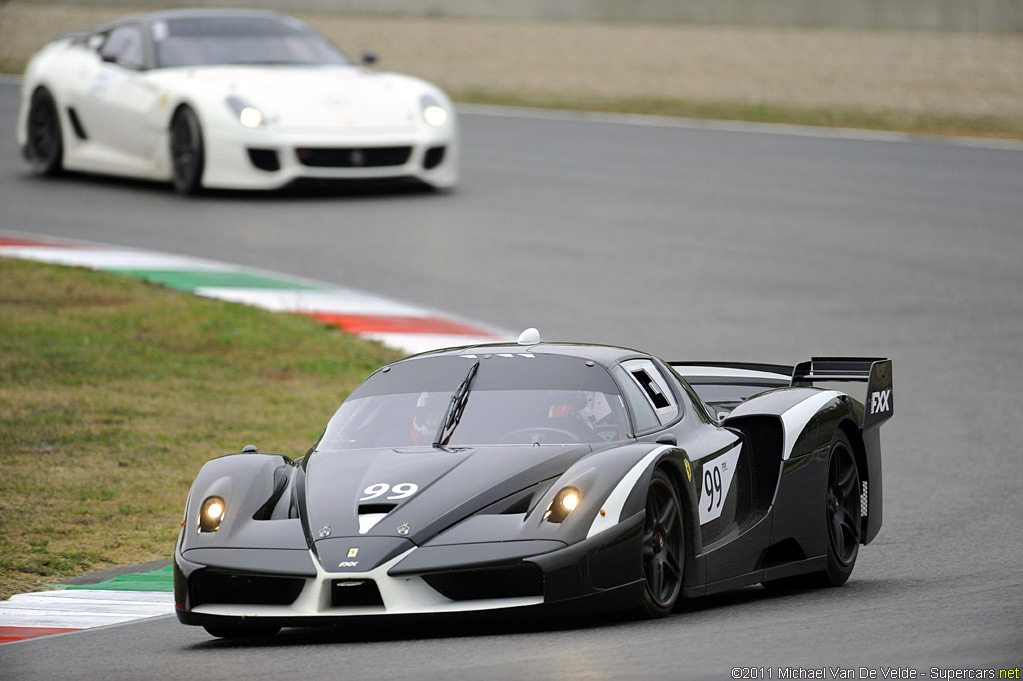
(603, 573)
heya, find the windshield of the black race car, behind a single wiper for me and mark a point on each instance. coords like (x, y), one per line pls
(514, 400)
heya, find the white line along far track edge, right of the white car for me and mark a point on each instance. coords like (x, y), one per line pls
(652, 121)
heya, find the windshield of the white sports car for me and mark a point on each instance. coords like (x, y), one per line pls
(228, 40)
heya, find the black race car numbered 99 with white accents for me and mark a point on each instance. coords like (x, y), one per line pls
(542, 475)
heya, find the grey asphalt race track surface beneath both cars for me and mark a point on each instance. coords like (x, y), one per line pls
(694, 244)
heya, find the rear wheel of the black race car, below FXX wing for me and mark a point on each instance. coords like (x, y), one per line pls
(843, 522)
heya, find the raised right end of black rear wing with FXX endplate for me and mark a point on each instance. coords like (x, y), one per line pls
(875, 372)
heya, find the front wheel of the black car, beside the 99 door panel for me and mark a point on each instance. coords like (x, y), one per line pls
(663, 548)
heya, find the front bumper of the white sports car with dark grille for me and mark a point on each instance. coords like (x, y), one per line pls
(240, 159)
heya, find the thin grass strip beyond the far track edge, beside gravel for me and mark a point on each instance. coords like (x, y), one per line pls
(923, 124)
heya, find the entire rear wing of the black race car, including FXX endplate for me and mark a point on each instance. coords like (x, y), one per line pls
(875, 372)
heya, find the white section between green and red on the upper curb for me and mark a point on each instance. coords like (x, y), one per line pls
(336, 301)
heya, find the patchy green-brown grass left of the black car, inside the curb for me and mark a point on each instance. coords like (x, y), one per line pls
(113, 394)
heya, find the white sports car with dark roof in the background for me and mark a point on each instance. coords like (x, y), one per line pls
(235, 100)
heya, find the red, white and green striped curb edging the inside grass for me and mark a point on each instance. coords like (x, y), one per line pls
(401, 326)
